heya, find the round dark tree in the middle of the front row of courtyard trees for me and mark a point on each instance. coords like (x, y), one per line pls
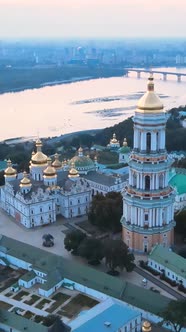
(92, 250)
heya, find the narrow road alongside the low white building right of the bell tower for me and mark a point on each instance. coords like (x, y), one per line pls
(159, 283)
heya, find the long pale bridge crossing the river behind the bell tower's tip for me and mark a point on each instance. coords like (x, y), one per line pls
(164, 73)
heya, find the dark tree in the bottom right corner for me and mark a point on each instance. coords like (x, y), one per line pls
(175, 315)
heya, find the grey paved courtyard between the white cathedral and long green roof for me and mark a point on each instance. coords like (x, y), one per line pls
(33, 237)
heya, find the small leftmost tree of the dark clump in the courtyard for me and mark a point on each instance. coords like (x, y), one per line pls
(73, 240)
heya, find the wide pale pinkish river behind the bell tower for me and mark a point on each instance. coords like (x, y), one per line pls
(98, 103)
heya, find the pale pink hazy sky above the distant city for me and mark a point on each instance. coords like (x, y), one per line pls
(92, 18)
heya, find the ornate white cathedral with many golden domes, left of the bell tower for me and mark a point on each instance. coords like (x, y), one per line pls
(54, 188)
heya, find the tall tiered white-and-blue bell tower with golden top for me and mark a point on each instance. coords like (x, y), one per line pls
(148, 200)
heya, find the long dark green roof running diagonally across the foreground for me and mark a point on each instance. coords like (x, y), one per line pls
(58, 268)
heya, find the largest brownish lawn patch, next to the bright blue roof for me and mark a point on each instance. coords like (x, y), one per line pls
(77, 304)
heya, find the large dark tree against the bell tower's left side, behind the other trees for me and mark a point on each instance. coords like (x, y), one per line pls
(106, 211)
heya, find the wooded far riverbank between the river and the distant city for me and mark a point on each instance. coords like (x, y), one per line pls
(20, 79)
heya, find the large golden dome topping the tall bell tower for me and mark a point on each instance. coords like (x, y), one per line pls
(150, 102)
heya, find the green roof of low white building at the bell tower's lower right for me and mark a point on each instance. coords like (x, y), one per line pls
(169, 259)
